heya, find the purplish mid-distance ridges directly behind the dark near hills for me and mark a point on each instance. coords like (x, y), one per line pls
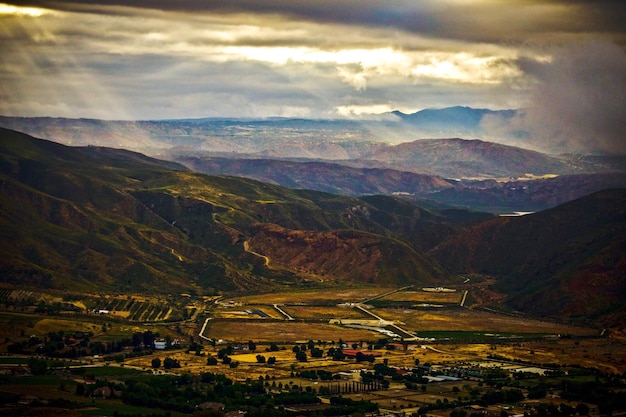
(529, 193)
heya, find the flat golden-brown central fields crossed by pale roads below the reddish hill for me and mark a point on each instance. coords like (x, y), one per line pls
(309, 310)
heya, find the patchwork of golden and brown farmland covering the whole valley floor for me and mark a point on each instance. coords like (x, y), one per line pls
(446, 338)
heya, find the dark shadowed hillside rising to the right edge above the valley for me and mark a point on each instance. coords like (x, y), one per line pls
(568, 261)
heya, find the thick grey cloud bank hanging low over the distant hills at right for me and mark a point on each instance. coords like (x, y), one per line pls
(578, 103)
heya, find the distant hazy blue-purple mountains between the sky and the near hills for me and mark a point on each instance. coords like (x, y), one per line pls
(355, 158)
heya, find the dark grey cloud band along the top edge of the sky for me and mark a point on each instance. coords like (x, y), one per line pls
(487, 20)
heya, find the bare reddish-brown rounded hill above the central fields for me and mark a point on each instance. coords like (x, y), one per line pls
(344, 256)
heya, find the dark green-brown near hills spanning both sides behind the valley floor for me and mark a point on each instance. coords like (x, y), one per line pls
(91, 218)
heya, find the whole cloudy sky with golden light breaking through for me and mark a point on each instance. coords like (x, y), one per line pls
(562, 61)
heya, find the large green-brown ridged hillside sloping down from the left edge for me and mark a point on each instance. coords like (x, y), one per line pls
(99, 219)
